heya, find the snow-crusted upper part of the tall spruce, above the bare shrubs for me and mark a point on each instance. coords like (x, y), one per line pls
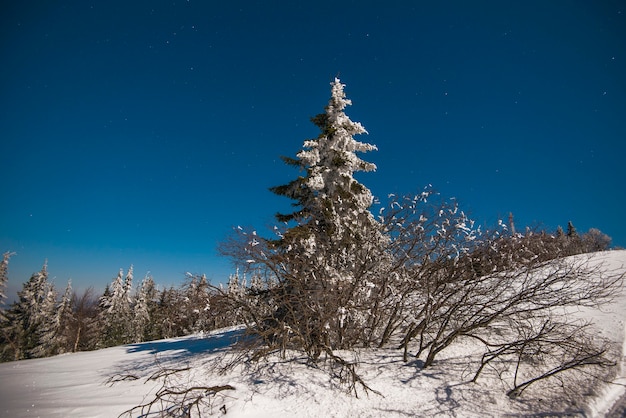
(328, 196)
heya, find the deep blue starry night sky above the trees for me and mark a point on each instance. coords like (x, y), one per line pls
(141, 132)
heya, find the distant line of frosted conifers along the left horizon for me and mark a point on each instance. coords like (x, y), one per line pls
(43, 322)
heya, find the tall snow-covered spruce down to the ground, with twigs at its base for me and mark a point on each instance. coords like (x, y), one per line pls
(324, 268)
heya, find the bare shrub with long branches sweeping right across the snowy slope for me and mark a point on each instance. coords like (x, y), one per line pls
(458, 302)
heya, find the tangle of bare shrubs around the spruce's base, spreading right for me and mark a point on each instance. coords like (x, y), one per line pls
(442, 279)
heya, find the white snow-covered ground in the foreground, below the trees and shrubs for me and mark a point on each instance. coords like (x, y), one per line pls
(80, 384)
